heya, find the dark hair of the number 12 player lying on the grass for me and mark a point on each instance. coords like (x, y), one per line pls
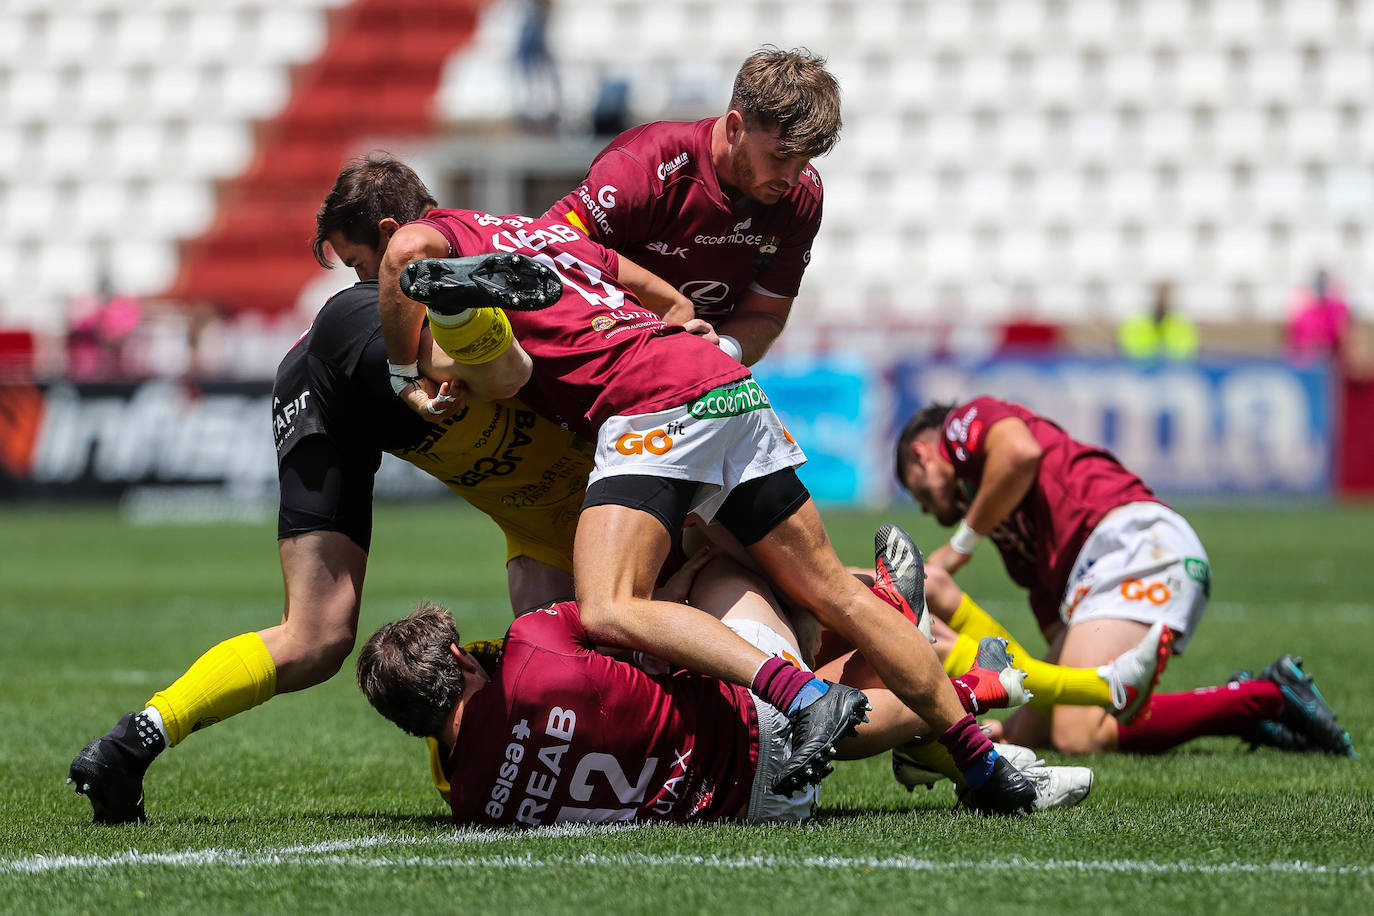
(409, 672)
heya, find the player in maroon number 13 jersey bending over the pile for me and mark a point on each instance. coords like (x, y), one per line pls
(681, 428)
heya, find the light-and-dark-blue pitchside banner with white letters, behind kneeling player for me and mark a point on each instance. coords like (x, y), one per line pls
(1215, 428)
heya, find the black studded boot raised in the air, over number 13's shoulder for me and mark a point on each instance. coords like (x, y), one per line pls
(510, 282)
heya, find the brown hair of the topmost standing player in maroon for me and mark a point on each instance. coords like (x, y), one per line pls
(791, 91)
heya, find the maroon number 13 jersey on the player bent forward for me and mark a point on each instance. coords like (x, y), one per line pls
(598, 352)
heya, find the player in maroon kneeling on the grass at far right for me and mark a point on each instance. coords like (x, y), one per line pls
(1104, 561)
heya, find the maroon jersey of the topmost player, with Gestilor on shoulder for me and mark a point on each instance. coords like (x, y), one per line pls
(653, 194)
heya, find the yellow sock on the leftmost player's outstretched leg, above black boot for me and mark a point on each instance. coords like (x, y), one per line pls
(232, 678)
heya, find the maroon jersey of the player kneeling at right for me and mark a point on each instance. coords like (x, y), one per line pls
(1075, 487)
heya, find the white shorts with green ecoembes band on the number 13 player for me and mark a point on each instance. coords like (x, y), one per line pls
(721, 440)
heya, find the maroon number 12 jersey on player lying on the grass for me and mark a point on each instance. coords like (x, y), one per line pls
(565, 734)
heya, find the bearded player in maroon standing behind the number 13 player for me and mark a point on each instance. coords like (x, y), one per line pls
(725, 209)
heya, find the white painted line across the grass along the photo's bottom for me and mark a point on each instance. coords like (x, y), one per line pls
(337, 854)
